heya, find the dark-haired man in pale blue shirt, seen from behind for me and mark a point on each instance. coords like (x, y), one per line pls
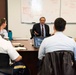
(58, 41)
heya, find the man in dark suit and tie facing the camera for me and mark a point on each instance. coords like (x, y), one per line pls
(41, 29)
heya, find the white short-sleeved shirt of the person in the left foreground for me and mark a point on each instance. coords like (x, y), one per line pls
(7, 48)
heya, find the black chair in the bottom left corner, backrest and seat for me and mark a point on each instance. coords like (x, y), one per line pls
(4, 64)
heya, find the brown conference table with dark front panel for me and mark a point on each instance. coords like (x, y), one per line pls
(30, 55)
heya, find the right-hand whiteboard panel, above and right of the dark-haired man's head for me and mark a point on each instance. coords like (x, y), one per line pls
(68, 10)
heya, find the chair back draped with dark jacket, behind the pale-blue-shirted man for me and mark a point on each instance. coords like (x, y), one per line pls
(58, 63)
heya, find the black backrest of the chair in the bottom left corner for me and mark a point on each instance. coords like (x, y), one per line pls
(4, 60)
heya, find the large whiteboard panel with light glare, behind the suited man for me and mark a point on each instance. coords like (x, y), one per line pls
(32, 10)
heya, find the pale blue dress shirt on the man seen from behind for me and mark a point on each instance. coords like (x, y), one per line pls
(59, 41)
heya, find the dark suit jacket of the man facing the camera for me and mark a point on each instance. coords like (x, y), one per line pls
(37, 28)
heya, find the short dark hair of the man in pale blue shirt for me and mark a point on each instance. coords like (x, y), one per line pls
(60, 24)
